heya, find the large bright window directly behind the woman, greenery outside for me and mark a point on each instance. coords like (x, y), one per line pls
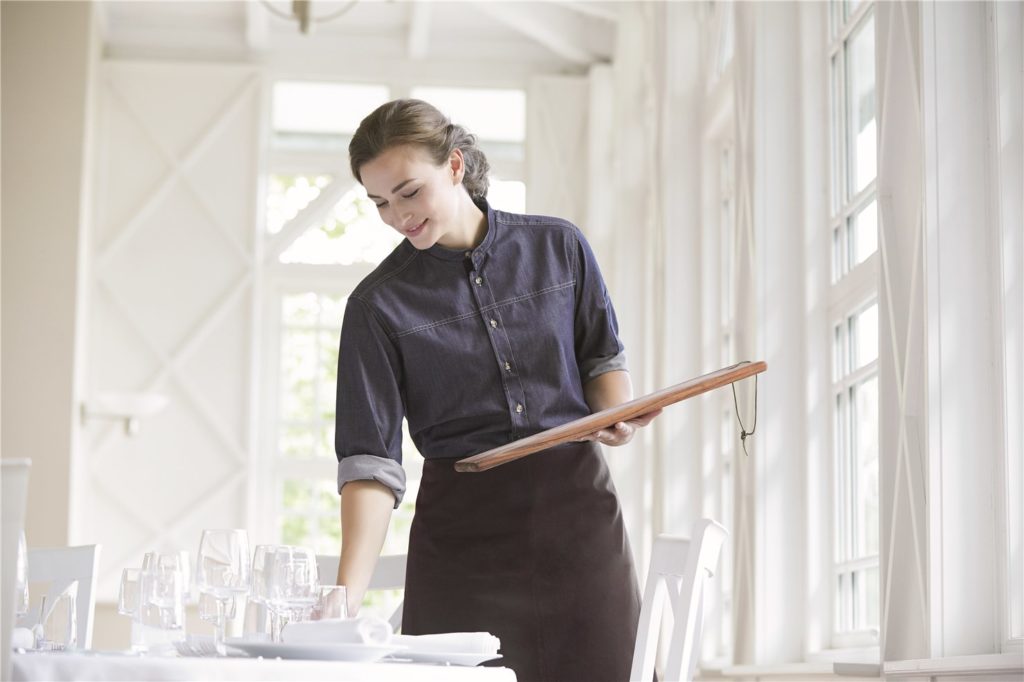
(322, 237)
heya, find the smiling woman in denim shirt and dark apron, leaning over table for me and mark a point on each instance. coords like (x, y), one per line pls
(482, 328)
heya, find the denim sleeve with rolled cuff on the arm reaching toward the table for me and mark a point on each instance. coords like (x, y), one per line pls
(370, 409)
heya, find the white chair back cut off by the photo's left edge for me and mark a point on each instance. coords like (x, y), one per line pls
(15, 487)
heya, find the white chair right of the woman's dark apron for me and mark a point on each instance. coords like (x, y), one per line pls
(679, 569)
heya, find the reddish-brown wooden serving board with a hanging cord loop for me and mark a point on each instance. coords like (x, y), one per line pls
(579, 429)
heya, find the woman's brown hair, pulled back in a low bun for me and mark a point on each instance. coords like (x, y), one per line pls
(415, 122)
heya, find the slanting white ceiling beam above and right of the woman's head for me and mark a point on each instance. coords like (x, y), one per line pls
(557, 29)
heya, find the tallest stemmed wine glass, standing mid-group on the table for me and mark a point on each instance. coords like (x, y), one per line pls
(223, 573)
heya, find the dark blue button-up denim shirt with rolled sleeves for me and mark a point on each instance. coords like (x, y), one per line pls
(475, 349)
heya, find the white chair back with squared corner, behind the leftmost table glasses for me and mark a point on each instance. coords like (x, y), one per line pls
(61, 567)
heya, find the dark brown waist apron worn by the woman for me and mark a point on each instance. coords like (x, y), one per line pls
(534, 552)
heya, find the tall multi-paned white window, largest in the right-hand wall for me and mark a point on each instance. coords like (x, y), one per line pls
(854, 311)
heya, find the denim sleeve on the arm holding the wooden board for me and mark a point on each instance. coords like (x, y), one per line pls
(599, 349)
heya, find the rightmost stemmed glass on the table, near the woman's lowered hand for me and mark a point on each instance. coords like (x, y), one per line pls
(292, 584)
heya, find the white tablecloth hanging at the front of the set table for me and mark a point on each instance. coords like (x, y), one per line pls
(68, 667)
